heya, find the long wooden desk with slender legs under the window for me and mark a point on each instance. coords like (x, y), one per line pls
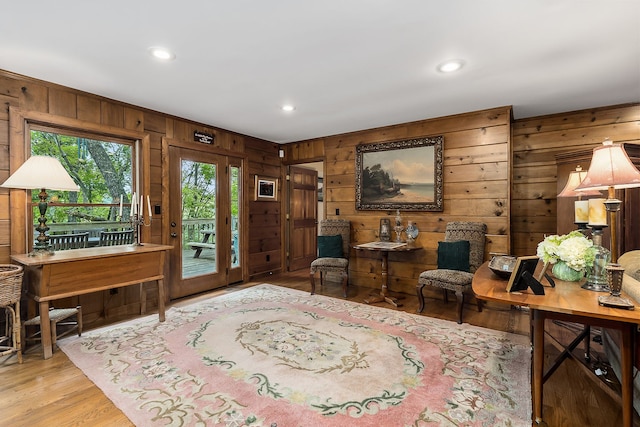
(82, 271)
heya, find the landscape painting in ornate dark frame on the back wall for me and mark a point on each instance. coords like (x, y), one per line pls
(405, 175)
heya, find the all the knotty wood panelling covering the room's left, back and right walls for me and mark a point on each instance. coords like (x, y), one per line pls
(496, 170)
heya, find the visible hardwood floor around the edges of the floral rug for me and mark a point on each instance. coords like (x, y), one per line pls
(54, 392)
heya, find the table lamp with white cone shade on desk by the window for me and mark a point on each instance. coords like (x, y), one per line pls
(41, 172)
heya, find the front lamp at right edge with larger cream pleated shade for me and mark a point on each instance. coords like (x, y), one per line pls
(611, 169)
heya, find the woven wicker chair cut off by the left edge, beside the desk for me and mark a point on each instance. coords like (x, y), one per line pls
(10, 292)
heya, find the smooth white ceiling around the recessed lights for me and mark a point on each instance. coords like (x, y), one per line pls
(346, 65)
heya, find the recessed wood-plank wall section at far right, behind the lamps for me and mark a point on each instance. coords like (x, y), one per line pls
(536, 143)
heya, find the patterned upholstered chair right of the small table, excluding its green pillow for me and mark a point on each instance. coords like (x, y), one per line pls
(455, 280)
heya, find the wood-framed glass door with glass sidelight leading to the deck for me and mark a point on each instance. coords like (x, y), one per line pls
(204, 225)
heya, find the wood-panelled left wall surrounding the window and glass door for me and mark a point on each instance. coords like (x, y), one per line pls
(35, 96)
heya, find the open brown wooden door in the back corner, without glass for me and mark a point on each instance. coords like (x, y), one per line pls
(303, 217)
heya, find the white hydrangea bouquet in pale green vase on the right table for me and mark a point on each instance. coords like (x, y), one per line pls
(572, 255)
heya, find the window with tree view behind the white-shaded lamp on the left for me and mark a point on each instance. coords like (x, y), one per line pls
(103, 169)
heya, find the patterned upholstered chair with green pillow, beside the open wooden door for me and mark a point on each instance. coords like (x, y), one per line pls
(334, 237)
